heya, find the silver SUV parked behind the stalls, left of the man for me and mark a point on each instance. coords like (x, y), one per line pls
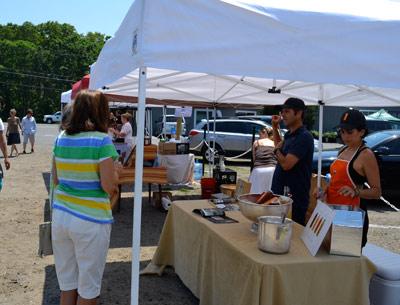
(232, 137)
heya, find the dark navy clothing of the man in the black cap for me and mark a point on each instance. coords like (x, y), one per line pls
(301, 144)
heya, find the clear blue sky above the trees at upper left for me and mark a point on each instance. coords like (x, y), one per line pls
(86, 15)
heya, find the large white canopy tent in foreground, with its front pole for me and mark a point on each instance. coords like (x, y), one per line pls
(340, 53)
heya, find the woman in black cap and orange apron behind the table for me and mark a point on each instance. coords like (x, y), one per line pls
(355, 165)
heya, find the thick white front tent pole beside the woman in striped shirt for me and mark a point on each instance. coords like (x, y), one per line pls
(137, 204)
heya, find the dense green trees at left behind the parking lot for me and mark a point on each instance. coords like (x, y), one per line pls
(39, 62)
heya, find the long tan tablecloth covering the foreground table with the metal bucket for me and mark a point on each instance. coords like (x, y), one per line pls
(221, 265)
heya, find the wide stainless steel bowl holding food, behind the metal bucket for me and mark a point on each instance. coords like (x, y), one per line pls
(253, 210)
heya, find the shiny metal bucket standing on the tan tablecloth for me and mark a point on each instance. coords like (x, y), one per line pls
(273, 235)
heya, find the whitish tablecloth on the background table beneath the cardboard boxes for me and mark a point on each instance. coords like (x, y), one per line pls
(179, 167)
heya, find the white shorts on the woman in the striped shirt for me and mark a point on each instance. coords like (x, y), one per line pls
(80, 252)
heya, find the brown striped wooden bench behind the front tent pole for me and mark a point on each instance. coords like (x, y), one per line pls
(126, 174)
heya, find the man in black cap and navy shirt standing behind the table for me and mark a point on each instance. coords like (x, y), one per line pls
(294, 155)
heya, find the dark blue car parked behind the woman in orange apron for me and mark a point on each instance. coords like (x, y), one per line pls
(386, 146)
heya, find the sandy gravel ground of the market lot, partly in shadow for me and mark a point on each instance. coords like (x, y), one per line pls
(27, 279)
